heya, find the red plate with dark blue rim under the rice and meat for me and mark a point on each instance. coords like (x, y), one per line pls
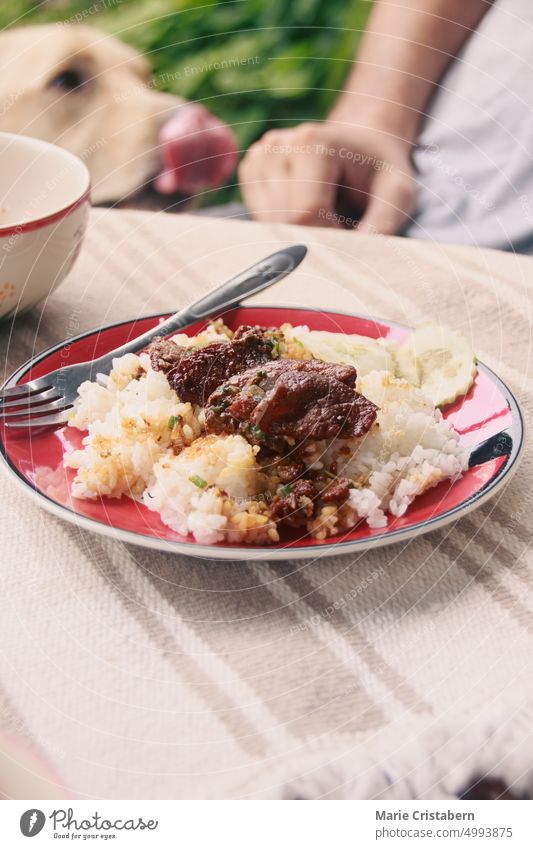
(489, 409)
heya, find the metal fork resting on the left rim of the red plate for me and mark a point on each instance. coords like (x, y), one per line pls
(47, 400)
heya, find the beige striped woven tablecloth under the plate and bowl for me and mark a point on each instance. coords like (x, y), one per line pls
(405, 671)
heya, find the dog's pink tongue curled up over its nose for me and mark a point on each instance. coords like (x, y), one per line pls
(198, 151)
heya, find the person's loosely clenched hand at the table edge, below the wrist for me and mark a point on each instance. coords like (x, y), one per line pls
(328, 174)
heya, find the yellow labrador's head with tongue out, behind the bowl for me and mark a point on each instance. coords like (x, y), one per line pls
(91, 94)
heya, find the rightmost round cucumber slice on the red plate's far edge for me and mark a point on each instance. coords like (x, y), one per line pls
(438, 360)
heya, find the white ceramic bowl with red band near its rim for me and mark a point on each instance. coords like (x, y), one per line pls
(44, 207)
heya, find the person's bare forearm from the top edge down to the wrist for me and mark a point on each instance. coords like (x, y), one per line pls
(407, 46)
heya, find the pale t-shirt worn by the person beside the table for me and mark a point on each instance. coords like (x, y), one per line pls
(475, 154)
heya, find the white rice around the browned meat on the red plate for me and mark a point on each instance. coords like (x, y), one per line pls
(144, 443)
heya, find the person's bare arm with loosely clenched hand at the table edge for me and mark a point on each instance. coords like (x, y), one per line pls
(360, 157)
